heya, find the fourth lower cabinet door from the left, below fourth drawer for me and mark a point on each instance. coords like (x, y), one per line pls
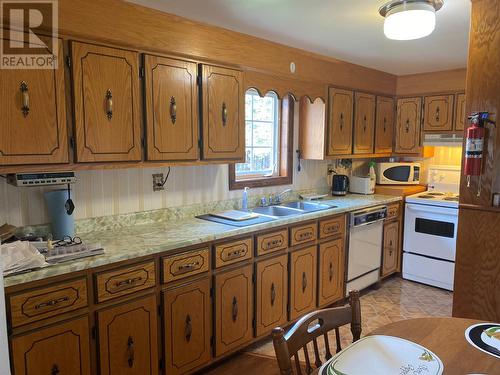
(233, 309)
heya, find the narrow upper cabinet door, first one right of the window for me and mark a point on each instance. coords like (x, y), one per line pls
(340, 104)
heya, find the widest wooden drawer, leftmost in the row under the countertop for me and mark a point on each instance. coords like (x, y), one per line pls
(46, 302)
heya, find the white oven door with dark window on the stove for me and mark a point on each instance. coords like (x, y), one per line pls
(430, 231)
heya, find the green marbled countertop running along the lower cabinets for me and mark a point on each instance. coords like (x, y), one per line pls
(127, 243)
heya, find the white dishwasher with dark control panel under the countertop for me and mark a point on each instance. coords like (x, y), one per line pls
(365, 247)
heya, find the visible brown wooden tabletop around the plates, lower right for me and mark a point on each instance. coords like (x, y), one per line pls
(446, 338)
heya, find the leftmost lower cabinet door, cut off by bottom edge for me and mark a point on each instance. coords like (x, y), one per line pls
(60, 349)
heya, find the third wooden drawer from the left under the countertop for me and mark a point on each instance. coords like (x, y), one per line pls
(184, 265)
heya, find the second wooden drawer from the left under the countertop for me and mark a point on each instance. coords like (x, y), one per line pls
(123, 281)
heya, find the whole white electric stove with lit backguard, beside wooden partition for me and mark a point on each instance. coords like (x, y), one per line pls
(430, 233)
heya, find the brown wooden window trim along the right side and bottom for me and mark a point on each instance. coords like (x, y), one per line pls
(285, 153)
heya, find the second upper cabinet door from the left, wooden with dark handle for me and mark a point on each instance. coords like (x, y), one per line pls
(106, 103)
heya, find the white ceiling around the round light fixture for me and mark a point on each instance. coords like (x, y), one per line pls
(350, 30)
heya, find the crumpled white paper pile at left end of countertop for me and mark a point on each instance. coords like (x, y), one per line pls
(20, 256)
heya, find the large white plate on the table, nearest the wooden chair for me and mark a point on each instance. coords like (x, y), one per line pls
(384, 355)
